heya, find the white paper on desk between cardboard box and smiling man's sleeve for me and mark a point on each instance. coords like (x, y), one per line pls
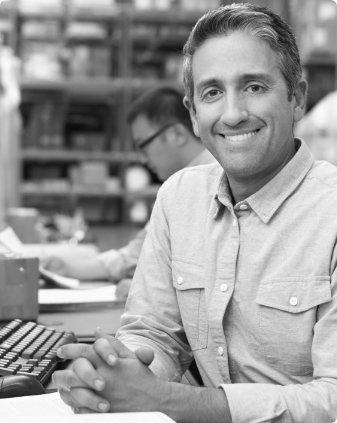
(77, 296)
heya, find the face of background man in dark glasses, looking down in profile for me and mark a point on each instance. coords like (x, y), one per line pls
(160, 155)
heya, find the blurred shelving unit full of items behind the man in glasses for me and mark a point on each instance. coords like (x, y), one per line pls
(74, 118)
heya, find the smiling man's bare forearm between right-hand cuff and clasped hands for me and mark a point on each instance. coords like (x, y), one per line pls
(186, 404)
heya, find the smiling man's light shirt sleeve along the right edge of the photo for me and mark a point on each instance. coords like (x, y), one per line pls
(311, 402)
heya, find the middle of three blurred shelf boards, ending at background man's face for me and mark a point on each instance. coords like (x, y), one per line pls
(33, 154)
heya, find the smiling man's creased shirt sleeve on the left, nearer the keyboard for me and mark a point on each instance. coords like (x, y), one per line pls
(152, 316)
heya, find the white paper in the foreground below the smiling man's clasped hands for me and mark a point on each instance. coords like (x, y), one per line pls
(50, 408)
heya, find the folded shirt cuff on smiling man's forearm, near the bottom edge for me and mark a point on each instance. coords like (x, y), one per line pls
(252, 402)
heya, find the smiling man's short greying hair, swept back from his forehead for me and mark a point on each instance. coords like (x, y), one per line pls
(257, 21)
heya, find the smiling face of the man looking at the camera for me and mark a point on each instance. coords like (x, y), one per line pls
(242, 112)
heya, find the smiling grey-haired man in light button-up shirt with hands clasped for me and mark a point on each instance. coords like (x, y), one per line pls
(238, 268)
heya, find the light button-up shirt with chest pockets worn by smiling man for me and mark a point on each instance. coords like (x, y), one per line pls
(269, 339)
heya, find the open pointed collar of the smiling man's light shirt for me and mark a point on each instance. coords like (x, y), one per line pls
(269, 198)
